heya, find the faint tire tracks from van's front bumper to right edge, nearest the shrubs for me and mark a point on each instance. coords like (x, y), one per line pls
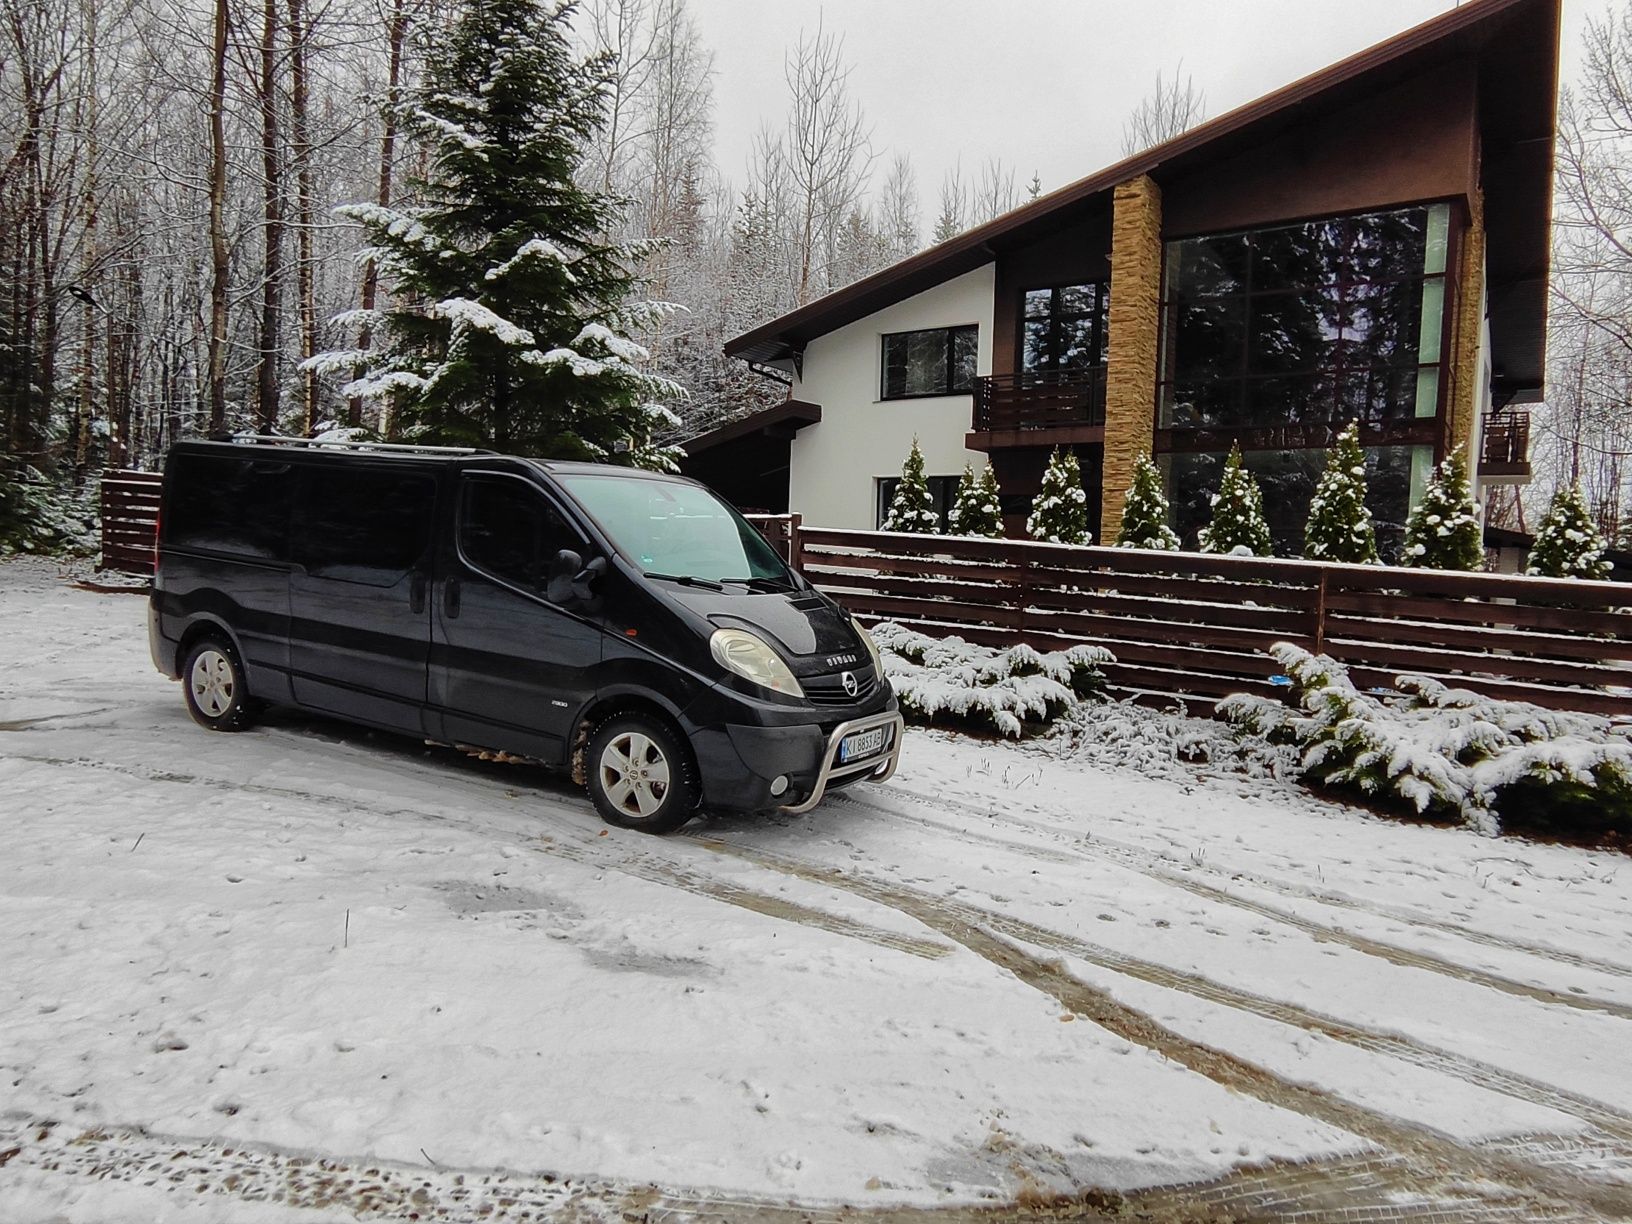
(1142, 861)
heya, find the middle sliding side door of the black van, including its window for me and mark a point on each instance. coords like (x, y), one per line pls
(360, 636)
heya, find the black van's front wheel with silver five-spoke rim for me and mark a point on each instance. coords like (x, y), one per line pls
(641, 774)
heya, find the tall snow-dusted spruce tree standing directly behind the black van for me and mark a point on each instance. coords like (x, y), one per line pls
(510, 306)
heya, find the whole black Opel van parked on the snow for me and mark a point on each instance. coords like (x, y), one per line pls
(624, 624)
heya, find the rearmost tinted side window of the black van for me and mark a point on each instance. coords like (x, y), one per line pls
(236, 507)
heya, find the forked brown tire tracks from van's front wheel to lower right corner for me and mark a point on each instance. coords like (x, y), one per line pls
(975, 928)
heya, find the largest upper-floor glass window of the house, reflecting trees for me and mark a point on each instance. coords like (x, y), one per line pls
(1319, 322)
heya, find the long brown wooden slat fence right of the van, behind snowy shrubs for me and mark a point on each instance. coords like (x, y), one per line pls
(1199, 628)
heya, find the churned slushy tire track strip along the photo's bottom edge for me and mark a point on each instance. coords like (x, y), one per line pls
(1359, 1189)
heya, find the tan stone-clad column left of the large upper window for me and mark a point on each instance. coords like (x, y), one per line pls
(1135, 326)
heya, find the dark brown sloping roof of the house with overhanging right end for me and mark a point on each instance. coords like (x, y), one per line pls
(1515, 45)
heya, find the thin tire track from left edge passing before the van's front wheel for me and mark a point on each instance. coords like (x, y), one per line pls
(631, 863)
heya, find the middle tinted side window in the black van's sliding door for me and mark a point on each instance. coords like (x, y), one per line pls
(363, 526)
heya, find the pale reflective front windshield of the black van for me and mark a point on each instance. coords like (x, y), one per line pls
(678, 531)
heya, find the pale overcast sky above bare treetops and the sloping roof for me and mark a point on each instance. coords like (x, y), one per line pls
(1044, 84)
